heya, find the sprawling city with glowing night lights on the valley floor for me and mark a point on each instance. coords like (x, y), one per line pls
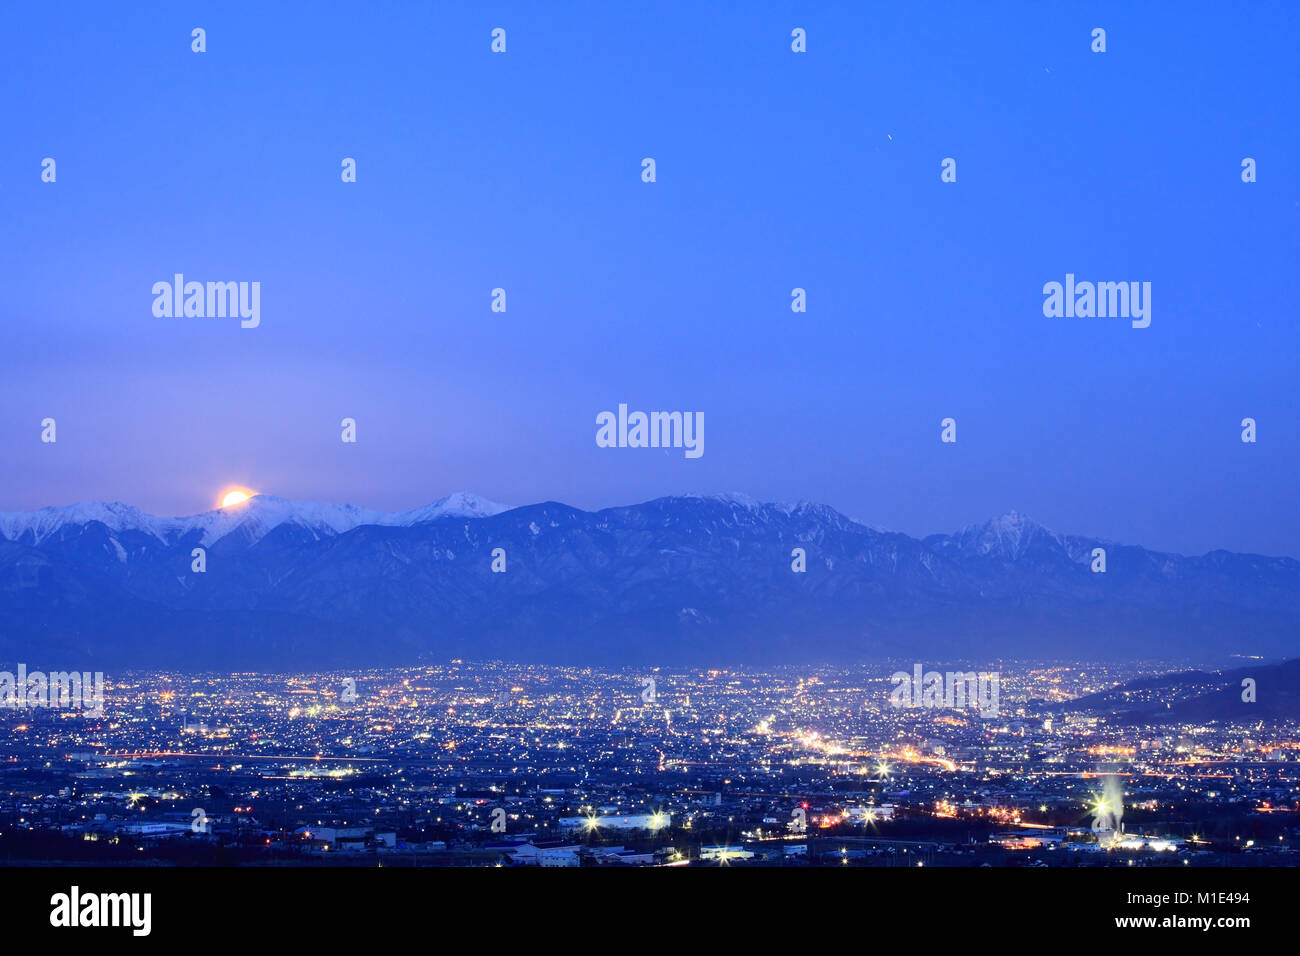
(487, 764)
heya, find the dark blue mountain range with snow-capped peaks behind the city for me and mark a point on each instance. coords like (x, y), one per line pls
(681, 581)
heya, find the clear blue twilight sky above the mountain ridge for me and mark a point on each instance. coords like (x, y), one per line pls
(774, 171)
